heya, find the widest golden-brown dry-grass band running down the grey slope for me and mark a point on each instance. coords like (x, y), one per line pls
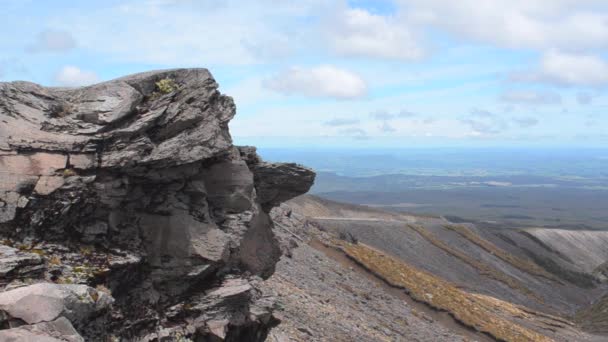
(480, 312)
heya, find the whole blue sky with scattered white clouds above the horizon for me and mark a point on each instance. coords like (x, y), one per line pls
(323, 73)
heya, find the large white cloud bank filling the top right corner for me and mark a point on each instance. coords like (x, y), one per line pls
(538, 24)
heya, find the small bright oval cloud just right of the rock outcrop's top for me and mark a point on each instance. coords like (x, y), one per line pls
(320, 81)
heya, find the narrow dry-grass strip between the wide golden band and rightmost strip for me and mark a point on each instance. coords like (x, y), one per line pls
(483, 268)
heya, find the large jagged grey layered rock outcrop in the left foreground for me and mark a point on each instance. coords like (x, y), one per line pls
(133, 186)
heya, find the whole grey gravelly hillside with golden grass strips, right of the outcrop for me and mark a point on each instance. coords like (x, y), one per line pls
(325, 293)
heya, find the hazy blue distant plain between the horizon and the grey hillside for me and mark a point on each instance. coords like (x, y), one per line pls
(510, 188)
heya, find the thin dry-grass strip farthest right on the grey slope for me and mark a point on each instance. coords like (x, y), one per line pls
(519, 263)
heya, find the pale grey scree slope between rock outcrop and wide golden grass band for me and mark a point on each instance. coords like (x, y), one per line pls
(324, 299)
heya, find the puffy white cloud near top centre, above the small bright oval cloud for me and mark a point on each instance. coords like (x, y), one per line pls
(356, 32)
